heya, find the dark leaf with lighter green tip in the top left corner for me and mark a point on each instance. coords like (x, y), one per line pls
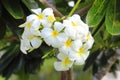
(14, 8)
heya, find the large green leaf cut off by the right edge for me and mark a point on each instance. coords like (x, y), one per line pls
(112, 19)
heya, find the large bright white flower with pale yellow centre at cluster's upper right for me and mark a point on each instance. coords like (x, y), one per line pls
(75, 25)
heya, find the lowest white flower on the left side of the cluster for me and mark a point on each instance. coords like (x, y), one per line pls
(29, 41)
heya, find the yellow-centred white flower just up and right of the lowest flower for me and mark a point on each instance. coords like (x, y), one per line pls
(79, 56)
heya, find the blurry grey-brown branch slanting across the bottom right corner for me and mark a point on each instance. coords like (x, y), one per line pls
(100, 74)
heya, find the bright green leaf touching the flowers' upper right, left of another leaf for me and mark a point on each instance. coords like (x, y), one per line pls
(96, 13)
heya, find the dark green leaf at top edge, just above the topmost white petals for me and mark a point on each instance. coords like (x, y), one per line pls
(30, 4)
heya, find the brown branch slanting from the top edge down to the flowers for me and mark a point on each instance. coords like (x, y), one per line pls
(56, 12)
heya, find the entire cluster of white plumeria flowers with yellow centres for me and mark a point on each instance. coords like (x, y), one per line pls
(71, 37)
